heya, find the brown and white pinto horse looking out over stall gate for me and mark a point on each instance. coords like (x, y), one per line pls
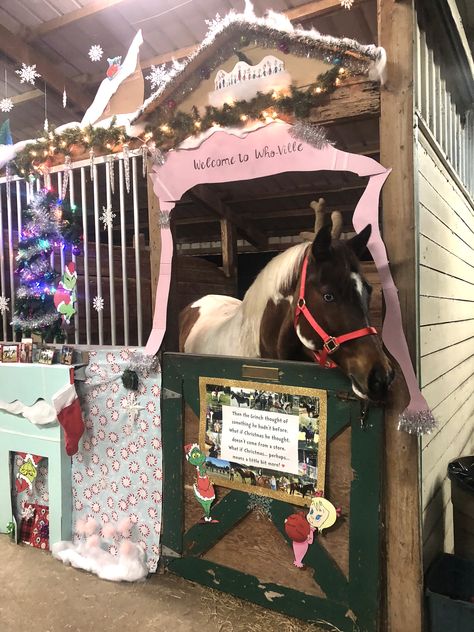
(311, 294)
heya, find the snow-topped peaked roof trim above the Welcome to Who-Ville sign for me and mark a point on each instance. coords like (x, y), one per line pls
(235, 30)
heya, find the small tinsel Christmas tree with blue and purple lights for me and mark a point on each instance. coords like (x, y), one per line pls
(47, 224)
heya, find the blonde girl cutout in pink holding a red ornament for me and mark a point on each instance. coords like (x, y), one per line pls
(300, 528)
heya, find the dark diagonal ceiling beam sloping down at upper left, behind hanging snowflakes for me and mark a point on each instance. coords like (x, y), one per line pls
(21, 52)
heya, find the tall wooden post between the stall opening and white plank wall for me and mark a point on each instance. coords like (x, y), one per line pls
(404, 579)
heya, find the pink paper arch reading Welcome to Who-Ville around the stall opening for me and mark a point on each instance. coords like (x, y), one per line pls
(268, 150)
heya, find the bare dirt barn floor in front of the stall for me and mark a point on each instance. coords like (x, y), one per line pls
(37, 592)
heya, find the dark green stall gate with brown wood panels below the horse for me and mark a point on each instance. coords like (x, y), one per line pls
(247, 553)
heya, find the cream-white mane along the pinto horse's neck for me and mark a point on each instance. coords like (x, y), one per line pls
(277, 275)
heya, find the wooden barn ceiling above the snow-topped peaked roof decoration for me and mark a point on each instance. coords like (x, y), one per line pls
(57, 36)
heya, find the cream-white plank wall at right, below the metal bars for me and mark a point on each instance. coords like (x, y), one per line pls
(446, 282)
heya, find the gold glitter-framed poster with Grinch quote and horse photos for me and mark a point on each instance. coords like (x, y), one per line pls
(264, 432)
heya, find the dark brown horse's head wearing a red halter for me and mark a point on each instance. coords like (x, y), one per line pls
(337, 297)
